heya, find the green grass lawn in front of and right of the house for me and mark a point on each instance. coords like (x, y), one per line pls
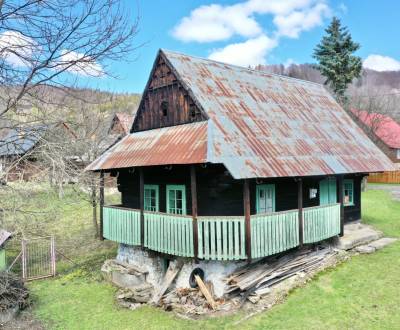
(363, 293)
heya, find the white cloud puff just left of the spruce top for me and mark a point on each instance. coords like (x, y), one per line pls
(293, 24)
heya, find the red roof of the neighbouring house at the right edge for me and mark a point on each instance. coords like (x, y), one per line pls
(383, 126)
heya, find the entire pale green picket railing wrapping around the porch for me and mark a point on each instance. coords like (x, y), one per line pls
(220, 237)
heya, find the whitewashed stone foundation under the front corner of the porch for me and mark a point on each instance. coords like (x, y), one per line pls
(214, 271)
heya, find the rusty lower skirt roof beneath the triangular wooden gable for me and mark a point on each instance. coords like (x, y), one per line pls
(183, 144)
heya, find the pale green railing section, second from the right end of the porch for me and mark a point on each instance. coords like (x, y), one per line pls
(272, 233)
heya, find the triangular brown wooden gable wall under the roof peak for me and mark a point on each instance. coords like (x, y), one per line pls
(163, 86)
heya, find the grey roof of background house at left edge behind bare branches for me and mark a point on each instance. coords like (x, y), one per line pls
(20, 140)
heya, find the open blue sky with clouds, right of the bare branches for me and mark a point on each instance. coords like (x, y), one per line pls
(254, 31)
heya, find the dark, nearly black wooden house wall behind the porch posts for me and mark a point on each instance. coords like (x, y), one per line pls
(219, 194)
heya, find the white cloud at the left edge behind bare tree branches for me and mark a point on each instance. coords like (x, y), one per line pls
(16, 48)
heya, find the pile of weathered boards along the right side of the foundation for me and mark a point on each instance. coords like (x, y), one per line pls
(256, 280)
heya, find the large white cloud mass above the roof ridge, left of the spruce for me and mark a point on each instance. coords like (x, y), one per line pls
(211, 23)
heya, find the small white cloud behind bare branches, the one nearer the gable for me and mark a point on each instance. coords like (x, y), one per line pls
(85, 65)
